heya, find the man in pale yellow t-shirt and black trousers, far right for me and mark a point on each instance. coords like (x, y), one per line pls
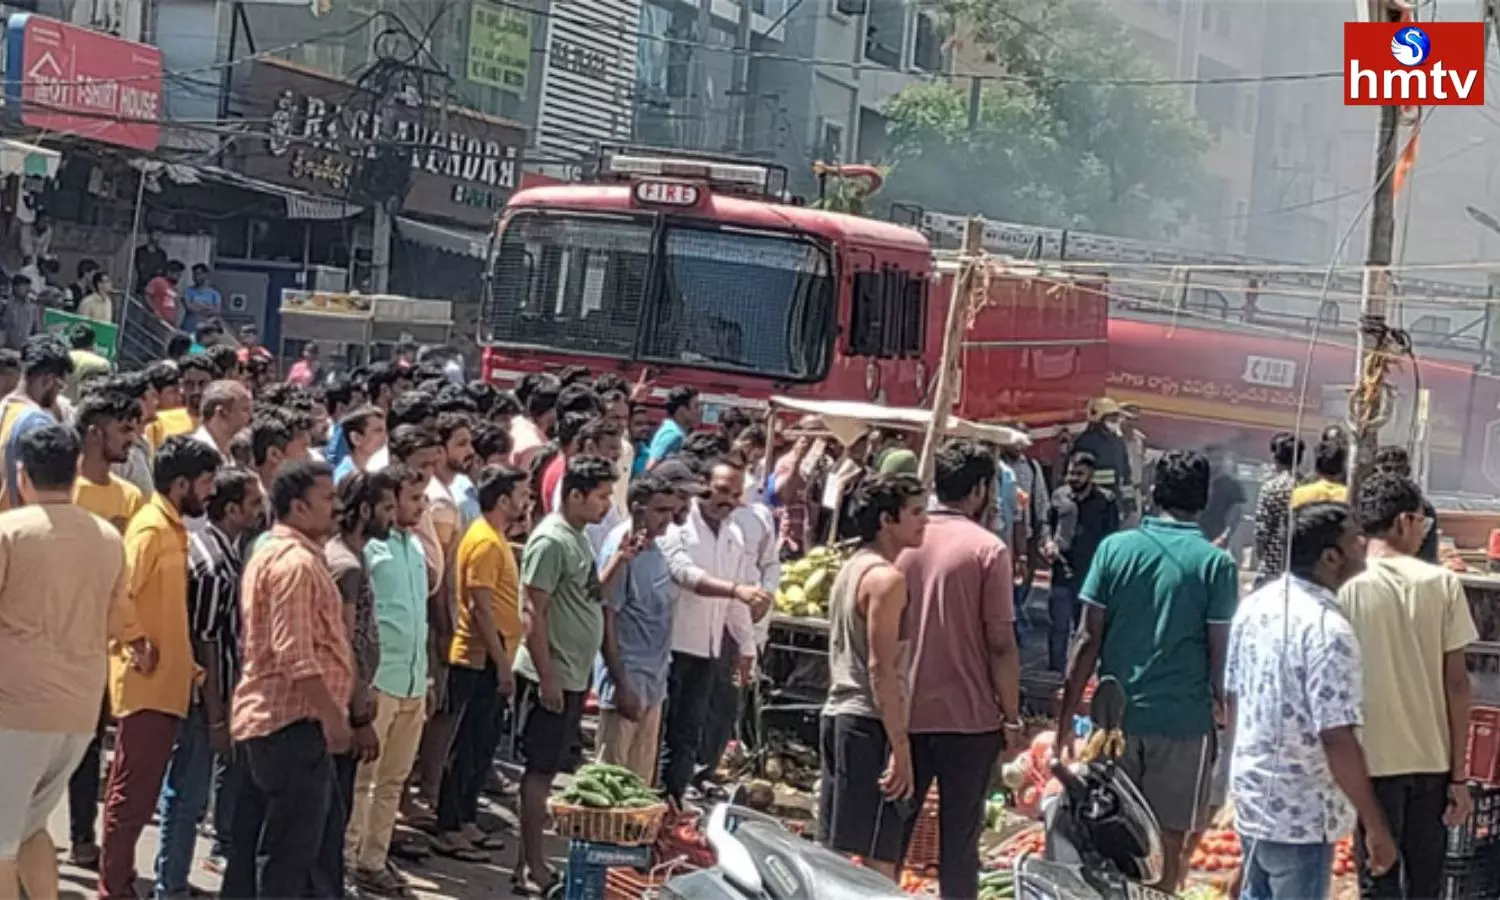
(1414, 626)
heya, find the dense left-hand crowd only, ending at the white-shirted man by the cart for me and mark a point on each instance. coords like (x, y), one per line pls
(307, 617)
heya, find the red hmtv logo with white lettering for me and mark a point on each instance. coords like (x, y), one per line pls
(1415, 65)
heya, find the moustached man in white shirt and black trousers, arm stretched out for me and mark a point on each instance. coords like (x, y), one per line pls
(725, 577)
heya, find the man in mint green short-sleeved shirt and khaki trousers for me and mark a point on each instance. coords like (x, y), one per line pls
(398, 569)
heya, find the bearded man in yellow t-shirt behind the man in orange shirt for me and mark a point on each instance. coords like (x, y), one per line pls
(107, 424)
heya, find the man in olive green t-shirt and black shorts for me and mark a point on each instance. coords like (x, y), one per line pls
(557, 659)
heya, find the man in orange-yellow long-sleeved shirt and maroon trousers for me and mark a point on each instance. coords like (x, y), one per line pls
(151, 704)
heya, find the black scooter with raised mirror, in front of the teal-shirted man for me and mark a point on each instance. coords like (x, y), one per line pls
(1103, 841)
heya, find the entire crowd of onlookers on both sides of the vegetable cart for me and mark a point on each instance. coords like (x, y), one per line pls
(320, 608)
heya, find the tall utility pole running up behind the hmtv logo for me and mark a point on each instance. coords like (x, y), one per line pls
(1367, 404)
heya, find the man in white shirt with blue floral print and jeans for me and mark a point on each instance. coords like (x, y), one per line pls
(1294, 680)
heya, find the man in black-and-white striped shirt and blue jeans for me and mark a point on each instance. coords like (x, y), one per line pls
(214, 620)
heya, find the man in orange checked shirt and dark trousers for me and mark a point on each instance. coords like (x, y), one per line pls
(292, 709)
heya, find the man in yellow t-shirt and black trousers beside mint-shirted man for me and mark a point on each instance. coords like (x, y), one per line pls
(485, 640)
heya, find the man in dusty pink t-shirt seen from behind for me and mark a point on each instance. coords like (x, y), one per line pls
(965, 680)
